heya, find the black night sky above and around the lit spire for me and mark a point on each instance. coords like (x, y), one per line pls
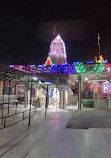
(26, 29)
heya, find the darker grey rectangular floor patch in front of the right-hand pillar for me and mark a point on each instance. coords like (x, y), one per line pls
(90, 118)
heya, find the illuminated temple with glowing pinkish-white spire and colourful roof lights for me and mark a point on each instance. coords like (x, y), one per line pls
(79, 84)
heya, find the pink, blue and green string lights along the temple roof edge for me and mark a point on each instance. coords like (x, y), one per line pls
(76, 67)
